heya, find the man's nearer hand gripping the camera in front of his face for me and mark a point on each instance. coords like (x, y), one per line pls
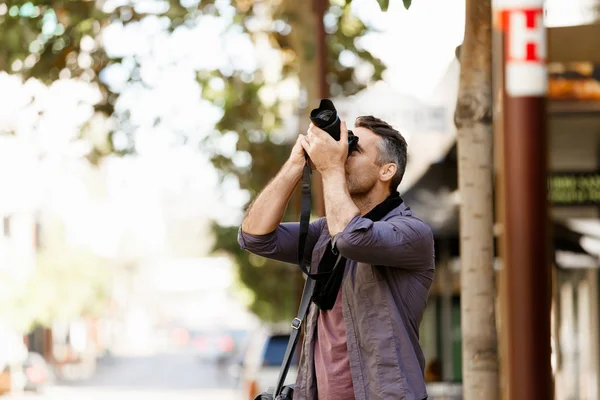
(324, 151)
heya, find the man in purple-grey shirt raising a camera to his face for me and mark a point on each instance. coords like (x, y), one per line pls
(365, 343)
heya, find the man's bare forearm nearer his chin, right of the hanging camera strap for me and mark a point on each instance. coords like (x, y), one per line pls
(339, 207)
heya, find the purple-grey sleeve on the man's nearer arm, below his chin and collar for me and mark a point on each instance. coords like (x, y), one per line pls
(403, 242)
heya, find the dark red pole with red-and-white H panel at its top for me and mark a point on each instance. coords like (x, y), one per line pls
(526, 221)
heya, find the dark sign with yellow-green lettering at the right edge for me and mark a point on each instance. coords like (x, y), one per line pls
(574, 188)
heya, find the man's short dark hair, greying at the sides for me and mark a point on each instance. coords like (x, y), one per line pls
(392, 147)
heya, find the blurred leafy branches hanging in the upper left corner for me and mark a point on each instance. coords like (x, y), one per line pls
(54, 39)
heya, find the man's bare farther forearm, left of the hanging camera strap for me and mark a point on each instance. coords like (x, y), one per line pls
(266, 212)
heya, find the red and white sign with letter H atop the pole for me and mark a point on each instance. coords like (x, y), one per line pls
(525, 48)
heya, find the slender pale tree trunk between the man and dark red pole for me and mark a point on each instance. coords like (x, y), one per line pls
(473, 119)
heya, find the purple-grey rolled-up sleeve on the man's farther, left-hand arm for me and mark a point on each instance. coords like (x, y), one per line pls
(282, 243)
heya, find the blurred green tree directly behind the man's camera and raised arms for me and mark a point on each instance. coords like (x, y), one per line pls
(290, 29)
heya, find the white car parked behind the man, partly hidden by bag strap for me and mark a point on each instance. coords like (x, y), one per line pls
(263, 359)
